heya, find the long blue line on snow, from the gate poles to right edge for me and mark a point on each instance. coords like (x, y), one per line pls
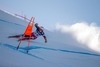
(53, 49)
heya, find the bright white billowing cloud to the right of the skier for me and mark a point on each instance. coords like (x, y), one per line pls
(84, 33)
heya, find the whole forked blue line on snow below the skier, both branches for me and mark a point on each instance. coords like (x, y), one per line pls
(46, 48)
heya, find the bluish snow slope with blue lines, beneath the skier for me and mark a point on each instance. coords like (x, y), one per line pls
(60, 51)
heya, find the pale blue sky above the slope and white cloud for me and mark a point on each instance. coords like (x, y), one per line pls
(50, 12)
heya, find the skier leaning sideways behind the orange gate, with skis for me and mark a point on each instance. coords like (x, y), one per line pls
(39, 32)
